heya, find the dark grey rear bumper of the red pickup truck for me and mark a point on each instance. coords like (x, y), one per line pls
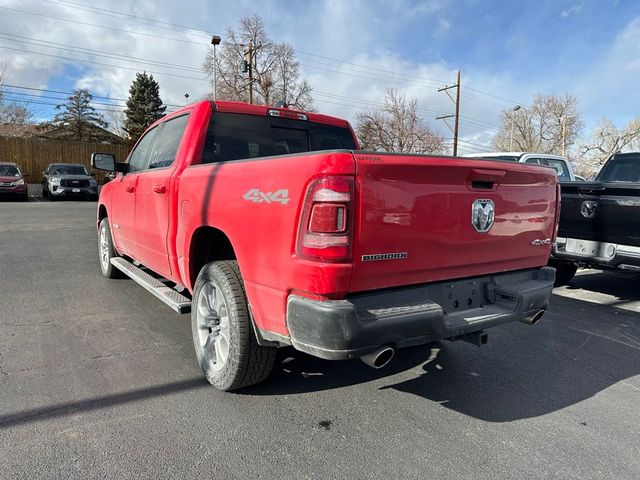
(403, 317)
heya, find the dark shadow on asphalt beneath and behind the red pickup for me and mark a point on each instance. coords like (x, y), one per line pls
(524, 372)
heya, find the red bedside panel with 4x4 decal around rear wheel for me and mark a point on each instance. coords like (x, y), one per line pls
(263, 233)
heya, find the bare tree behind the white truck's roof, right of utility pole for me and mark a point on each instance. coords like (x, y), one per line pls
(544, 127)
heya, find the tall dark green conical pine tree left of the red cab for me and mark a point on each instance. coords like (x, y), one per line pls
(144, 105)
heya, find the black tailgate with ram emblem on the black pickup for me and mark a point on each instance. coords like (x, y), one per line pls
(601, 212)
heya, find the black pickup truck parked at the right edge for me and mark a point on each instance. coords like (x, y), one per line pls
(600, 221)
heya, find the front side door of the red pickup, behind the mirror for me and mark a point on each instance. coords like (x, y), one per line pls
(122, 215)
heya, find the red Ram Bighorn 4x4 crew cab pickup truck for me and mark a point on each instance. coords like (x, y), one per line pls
(272, 229)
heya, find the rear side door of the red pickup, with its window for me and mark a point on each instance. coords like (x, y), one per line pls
(153, 196)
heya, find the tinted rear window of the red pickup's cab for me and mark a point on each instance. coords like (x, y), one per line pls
(234, 136)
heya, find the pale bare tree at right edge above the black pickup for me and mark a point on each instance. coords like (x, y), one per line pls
(606, 140)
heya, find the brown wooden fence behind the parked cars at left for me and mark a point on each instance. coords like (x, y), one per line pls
(33, 155)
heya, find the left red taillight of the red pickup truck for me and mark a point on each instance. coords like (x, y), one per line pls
(327, 220)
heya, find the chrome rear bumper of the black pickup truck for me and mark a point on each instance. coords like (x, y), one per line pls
(600, 254)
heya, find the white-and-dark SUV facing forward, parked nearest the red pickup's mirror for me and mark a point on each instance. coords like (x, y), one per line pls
(68, 180)
